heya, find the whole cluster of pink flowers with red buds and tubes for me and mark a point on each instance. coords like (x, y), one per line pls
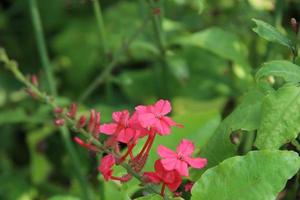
(147, 121)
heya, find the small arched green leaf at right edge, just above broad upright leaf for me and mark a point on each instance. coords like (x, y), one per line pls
(280, 68)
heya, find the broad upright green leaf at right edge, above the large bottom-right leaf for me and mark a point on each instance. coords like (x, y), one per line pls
(280, 121)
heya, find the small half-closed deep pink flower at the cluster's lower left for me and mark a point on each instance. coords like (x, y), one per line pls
(106, 165)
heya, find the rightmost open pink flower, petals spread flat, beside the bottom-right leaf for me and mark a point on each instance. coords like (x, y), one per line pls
(181, 159)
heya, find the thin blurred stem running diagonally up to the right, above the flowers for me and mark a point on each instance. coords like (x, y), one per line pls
(107, 71)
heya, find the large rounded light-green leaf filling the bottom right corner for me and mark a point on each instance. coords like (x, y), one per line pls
(257, 175)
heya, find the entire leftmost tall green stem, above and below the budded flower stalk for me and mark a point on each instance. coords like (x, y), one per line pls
(41, 43)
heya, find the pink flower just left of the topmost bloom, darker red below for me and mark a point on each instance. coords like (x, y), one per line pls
(120, 128)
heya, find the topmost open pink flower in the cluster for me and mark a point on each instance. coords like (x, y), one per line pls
(153, 116)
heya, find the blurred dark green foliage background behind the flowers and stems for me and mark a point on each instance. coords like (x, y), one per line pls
(202, 58)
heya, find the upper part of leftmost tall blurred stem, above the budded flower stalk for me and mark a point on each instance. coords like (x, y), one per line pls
(41, 44)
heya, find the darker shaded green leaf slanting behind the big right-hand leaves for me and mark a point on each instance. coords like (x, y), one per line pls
(245, 117)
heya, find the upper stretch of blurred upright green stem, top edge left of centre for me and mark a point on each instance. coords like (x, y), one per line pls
(100, 24)
